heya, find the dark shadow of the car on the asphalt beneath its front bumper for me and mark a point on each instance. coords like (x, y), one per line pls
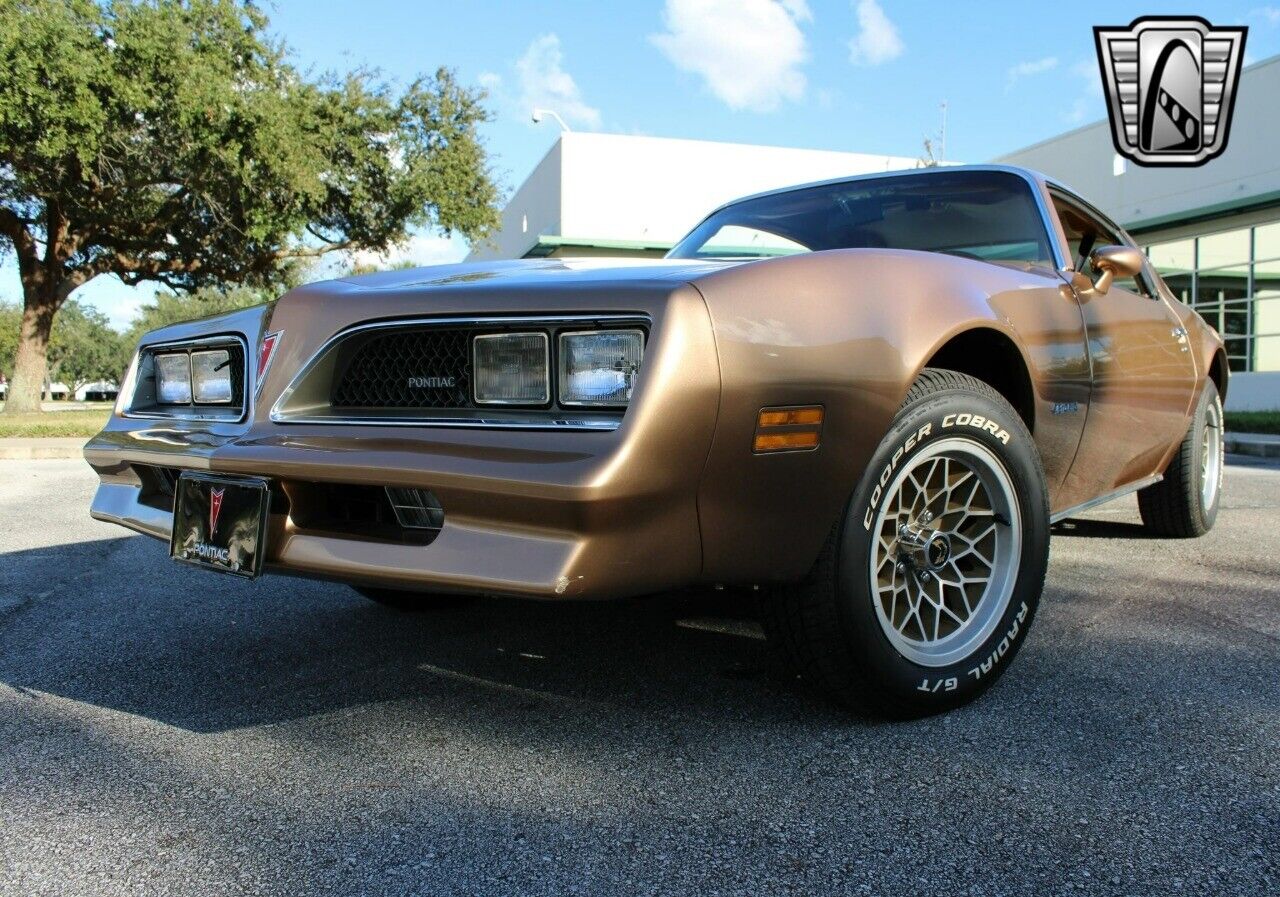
(117, 625)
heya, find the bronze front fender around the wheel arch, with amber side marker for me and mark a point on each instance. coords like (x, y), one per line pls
(849, 331)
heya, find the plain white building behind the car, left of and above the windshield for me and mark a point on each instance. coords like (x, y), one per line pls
(618, 195)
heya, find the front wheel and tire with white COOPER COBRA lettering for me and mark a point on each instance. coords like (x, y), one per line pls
(927, 587)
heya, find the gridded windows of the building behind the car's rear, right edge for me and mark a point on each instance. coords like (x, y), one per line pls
(1233, 280)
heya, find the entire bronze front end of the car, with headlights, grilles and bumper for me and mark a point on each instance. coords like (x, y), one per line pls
(528, 431)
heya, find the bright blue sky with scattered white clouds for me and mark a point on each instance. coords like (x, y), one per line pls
(861, 76)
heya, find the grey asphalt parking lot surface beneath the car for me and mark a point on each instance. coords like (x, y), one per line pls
(171, 731)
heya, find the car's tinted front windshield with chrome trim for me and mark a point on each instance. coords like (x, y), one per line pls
(988, 216)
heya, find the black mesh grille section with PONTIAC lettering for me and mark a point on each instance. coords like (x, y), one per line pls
(406, 369)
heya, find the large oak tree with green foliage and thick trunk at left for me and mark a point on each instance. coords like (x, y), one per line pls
(175, 141)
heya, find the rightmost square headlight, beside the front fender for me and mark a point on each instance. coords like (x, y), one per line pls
(600, 367)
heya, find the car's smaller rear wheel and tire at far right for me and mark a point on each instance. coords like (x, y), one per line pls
(1185, 505)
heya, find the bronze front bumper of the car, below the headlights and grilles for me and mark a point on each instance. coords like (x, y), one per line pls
(527, 512)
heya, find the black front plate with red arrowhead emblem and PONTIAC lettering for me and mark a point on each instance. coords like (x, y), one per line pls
(220, 523)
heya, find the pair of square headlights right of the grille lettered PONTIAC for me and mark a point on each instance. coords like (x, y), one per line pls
(595, 368)
